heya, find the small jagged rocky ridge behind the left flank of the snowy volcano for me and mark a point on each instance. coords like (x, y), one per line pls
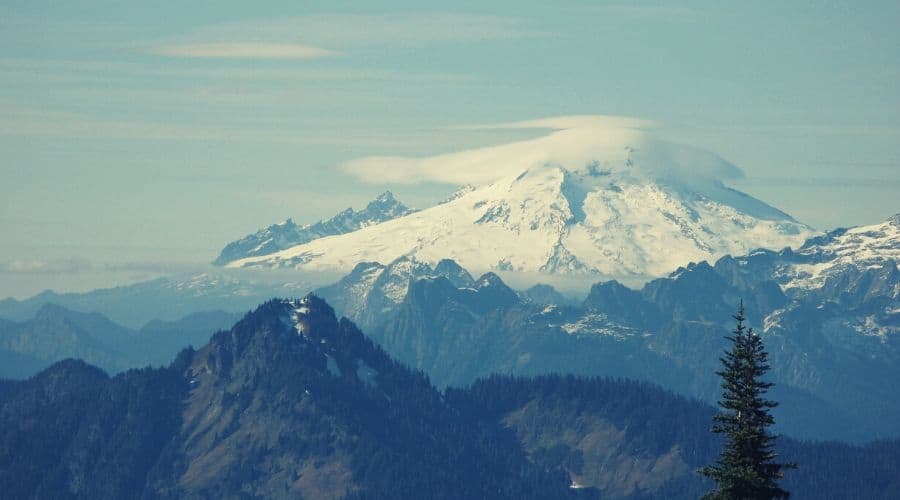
(287, 234)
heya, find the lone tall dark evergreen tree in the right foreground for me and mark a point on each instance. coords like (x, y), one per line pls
(746, 468)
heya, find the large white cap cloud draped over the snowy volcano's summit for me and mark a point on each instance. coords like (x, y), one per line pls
(574, 142)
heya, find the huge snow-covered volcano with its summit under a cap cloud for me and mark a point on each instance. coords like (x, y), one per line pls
(632, 208)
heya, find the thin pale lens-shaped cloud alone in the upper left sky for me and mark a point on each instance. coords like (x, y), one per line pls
(243, 50)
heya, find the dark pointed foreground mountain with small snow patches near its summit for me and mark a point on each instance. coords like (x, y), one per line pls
(289, 402)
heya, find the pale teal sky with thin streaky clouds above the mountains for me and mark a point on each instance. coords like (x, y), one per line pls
(138, 138)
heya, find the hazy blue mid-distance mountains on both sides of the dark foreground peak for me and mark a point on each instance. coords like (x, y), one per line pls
(829, 310)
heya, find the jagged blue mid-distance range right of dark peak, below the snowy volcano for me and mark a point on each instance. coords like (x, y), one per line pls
(829, 311)
